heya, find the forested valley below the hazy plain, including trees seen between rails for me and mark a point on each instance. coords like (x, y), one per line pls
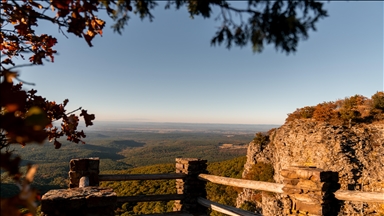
(139, 152)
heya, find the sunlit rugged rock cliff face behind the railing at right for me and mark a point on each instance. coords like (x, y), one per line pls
(356, 153)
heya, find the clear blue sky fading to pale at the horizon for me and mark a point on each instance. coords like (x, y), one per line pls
(167, 71)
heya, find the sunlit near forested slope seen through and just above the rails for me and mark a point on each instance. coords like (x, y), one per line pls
(219, 193)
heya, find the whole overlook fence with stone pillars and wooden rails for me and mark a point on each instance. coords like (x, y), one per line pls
(305, 191)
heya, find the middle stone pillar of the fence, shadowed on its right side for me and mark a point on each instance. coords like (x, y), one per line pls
(190, 186)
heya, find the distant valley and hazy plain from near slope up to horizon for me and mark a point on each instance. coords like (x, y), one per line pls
(122, 146)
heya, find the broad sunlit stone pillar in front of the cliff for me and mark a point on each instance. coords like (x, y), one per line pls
(309, 191)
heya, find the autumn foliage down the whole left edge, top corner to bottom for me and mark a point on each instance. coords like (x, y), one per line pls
(26, 117)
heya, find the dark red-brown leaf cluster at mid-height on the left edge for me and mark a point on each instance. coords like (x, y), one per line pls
(28, 117)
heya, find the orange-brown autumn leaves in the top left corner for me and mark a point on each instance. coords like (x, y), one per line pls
(77, 16)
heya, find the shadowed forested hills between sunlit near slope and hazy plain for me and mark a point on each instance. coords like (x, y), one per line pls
(121, 150)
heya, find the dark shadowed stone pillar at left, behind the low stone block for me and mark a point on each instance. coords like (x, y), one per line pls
(83, 167)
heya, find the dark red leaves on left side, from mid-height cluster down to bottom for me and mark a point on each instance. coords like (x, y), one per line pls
(28, 118)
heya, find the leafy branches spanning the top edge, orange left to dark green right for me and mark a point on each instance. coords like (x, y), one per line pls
(282, 23)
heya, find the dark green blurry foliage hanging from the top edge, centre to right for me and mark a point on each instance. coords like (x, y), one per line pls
(282, 23)
